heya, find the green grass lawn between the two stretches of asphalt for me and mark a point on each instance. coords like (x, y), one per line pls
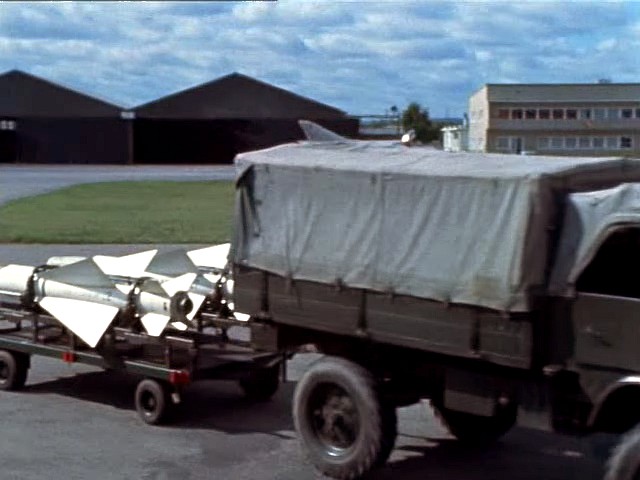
(123, 212)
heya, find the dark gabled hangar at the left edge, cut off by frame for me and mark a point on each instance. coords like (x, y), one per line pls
(42, 122)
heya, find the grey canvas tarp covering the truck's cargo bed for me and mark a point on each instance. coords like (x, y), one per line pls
(453, 227)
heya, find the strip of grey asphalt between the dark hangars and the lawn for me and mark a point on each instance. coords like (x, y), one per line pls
(25, 180)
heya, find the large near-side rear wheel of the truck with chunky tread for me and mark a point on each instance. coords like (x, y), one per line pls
(342, 420)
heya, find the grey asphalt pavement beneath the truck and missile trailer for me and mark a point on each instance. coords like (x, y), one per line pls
(75, 422)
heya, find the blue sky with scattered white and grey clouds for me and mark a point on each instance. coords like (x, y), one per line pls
(361, 56)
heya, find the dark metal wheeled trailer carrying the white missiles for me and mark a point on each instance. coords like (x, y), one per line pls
(166, 364)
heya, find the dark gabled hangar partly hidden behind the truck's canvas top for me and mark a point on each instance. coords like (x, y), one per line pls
(212, 122)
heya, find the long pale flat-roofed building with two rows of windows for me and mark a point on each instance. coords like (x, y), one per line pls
(566, 119)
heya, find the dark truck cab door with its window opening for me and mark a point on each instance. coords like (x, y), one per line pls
(606, 312)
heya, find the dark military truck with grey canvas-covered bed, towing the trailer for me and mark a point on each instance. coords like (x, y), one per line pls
(503, 288)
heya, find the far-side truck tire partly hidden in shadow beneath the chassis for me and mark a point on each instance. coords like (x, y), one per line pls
(477, 429)
